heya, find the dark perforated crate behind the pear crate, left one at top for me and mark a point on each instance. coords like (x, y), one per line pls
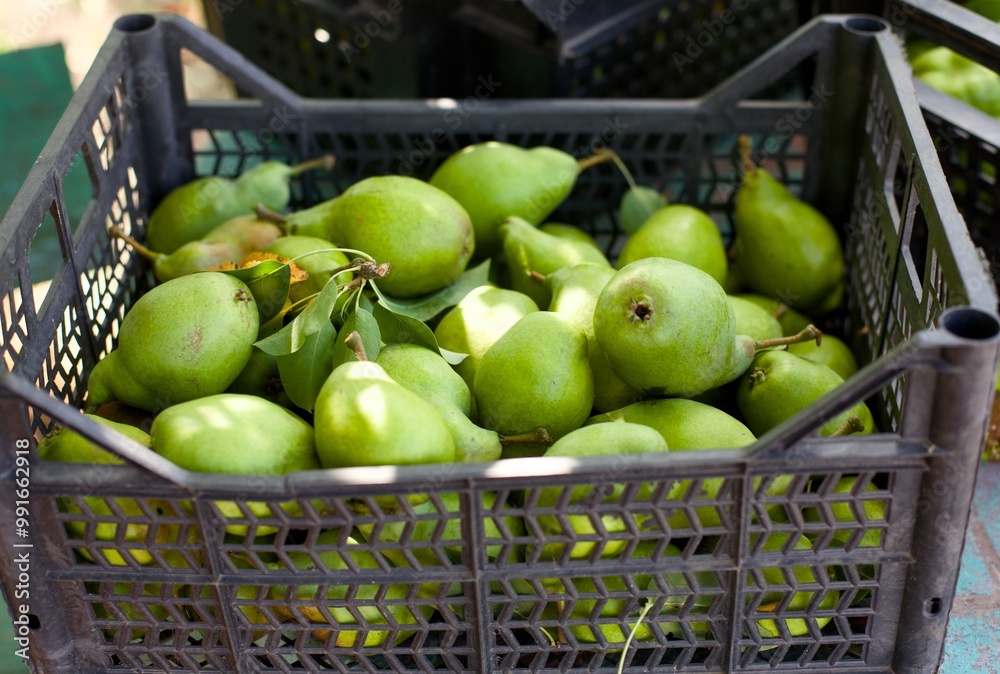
(346, 48)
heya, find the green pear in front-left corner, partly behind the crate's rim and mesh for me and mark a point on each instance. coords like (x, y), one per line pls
(67, 446)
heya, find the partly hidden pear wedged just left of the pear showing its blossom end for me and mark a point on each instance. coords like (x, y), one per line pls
(575, 290)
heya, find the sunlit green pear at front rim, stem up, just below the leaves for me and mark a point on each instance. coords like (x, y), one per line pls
(364, 418)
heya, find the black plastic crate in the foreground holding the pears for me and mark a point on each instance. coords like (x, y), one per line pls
(479, 597)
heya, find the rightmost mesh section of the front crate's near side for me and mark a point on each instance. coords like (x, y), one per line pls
(815, 567)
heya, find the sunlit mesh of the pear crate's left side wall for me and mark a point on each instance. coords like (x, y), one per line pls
(103, 283)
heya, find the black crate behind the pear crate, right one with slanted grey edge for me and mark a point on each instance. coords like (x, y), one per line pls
(603, 48)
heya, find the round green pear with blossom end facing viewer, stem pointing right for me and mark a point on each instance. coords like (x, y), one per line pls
(668, 329)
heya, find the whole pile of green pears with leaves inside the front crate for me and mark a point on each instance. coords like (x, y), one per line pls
(411, 322)
